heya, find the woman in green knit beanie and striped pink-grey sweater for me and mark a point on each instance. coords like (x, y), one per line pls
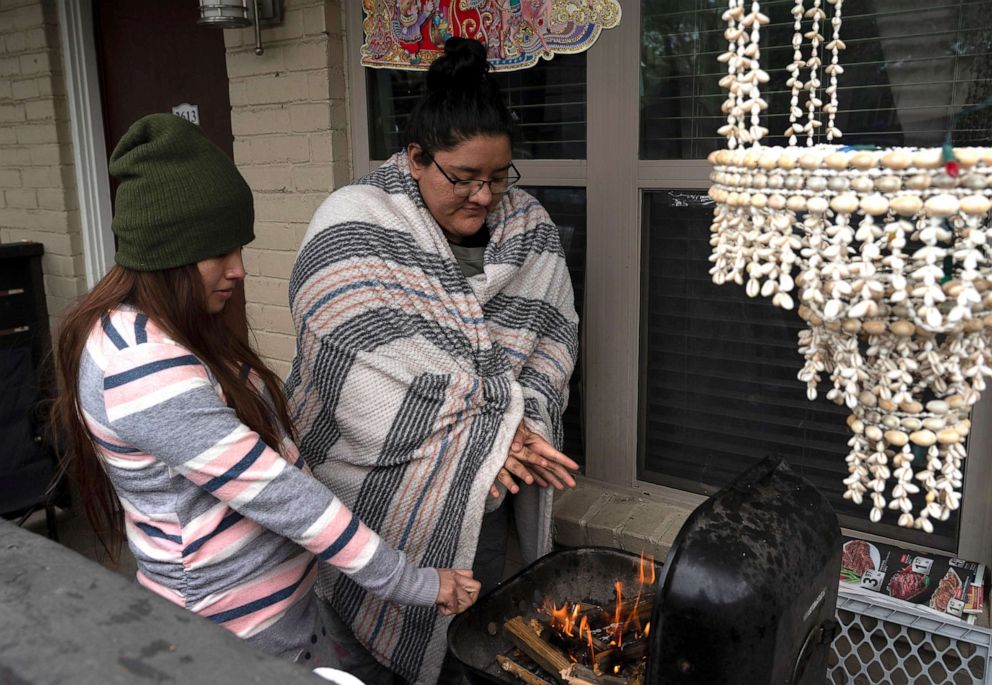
(180, 436)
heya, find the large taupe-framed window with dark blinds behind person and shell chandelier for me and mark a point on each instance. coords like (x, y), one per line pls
(683, 383)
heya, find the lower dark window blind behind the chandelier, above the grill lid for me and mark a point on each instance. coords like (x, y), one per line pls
(719, 390)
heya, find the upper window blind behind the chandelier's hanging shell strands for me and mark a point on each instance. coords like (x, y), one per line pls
(909, 65)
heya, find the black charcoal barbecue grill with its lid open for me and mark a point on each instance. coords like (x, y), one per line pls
(746, 595)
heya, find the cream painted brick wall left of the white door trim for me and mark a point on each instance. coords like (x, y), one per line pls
(38, 198)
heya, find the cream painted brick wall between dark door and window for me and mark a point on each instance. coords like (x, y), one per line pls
(290, 142)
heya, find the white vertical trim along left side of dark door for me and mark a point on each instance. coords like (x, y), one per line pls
(89, 147)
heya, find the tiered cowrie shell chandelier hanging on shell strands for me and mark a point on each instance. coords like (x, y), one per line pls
(884, 253)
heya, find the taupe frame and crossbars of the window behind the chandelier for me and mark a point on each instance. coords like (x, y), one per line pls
(615, 179)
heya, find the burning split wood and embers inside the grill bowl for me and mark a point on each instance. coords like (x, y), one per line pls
(583, 642)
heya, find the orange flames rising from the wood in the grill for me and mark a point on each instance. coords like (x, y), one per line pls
(596, 636)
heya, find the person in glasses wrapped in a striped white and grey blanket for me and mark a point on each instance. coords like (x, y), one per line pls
(436, 334)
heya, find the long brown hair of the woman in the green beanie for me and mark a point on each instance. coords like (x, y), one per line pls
(175, 300)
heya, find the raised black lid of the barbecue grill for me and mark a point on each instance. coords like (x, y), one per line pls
(748, 592)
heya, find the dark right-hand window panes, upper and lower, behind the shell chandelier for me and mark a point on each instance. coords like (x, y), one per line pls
(719, 387)
